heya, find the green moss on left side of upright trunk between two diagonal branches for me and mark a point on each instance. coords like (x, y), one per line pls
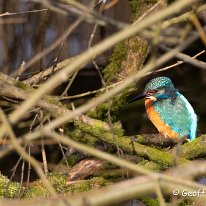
(118, 55)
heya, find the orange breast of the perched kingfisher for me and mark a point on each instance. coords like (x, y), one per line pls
(162, 127)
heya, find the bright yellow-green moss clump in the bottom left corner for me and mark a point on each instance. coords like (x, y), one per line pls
(8, 189)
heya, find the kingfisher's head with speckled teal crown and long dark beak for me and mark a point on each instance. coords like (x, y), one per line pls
(157, 89)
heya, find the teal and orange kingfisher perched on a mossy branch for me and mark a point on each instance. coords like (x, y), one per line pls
(168, 109)
